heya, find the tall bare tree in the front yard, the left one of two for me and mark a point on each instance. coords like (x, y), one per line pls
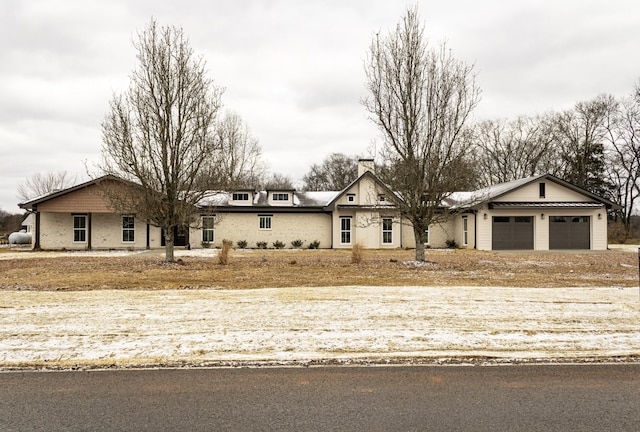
(158, 134)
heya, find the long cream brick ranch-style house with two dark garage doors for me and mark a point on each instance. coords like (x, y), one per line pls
(541, 212)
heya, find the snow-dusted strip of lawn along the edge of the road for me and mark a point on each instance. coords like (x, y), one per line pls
(312, 324)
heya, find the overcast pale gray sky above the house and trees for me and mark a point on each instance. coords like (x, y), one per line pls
(292, 69)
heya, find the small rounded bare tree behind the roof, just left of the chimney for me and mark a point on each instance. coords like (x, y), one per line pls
(335, 173)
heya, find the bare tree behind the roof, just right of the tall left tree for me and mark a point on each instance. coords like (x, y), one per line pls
(239, 154)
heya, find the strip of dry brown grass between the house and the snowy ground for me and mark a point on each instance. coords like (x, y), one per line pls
(272, 268)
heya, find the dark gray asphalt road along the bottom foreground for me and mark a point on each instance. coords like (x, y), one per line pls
(415, 398)
